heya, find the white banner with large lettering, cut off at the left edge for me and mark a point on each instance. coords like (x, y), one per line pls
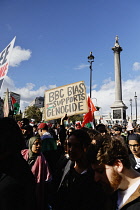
(4, 60)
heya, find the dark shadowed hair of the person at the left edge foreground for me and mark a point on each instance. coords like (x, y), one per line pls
(11, 137)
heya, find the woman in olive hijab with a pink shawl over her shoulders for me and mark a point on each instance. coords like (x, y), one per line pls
(39, 168)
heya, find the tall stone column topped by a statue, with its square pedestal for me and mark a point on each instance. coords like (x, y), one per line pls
(118, 108)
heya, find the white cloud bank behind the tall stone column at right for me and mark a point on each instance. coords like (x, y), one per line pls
(105, 96)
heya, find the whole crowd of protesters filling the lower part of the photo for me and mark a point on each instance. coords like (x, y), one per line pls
(48, 166)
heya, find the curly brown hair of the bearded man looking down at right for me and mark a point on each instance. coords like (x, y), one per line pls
(108, 150)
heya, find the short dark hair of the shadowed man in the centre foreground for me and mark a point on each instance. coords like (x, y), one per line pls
(82, 137)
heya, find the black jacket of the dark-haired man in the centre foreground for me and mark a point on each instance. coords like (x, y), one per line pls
(78, 192)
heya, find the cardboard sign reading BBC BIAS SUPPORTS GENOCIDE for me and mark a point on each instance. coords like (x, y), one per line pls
(69, 99)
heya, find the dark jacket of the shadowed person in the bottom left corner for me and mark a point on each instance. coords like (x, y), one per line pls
(17, 185)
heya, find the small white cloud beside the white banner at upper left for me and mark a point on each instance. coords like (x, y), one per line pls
(18, 55)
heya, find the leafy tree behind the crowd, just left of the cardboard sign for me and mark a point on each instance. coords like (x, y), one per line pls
(33, 112)
